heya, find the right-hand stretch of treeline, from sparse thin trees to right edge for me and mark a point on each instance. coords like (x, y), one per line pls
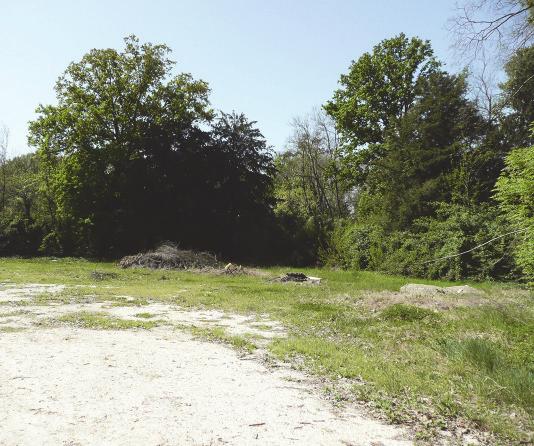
(425, 172)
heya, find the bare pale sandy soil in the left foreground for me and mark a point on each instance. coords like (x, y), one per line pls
(71, 386)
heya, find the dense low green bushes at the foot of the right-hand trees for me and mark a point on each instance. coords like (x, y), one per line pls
(431, 248)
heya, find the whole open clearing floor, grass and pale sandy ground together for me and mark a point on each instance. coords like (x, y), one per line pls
(92, 354)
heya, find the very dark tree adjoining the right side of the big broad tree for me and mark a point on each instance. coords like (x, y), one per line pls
(235, 189)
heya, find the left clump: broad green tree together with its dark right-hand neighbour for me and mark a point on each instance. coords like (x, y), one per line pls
(129, 158)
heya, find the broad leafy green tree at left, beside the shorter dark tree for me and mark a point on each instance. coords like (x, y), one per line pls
(119, 117)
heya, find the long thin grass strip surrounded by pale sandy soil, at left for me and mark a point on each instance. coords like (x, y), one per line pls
(101, 321)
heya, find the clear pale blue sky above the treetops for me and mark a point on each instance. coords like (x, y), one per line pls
(272, 59)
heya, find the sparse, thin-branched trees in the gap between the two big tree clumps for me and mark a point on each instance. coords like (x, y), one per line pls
(310, 192)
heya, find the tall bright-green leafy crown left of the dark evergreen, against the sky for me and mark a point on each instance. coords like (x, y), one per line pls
(378, 91)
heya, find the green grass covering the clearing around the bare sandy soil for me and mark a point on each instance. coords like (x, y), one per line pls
(430, 367)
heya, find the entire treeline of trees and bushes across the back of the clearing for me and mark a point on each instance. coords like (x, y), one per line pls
(400, 168)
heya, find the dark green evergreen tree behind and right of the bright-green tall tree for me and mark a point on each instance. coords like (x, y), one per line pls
(423, 156)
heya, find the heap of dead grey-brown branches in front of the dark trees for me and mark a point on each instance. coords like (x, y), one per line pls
(169, 256)
